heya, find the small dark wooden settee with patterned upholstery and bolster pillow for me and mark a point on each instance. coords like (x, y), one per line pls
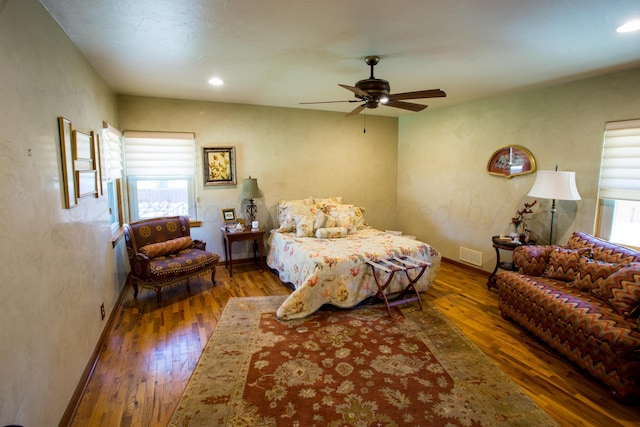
(161, 253)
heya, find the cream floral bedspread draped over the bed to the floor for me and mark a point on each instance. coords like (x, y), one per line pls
(334, 271)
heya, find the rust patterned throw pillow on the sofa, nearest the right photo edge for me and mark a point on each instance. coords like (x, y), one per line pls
(621, 290)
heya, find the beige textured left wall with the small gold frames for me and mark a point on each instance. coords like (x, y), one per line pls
(57, 264)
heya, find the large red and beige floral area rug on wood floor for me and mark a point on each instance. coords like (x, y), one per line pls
(356, 367)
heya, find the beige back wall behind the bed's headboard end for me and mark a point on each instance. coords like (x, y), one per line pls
(293, 153)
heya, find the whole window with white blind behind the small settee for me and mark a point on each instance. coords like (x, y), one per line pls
(160, 169)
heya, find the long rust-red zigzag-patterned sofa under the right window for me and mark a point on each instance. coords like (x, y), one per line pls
(583, 300)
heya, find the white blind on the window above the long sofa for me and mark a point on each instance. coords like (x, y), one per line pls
(620, 171)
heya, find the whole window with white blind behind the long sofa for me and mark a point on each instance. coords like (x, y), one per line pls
(619, 191)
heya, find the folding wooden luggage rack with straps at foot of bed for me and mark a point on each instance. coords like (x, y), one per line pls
(391, 266)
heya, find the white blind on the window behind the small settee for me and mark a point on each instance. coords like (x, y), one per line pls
(160, 153)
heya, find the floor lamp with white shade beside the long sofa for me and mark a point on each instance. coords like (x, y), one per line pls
(555, 185)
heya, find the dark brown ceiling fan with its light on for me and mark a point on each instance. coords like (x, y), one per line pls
(372, 91)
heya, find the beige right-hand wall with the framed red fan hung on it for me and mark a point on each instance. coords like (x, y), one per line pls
(445, 196)
